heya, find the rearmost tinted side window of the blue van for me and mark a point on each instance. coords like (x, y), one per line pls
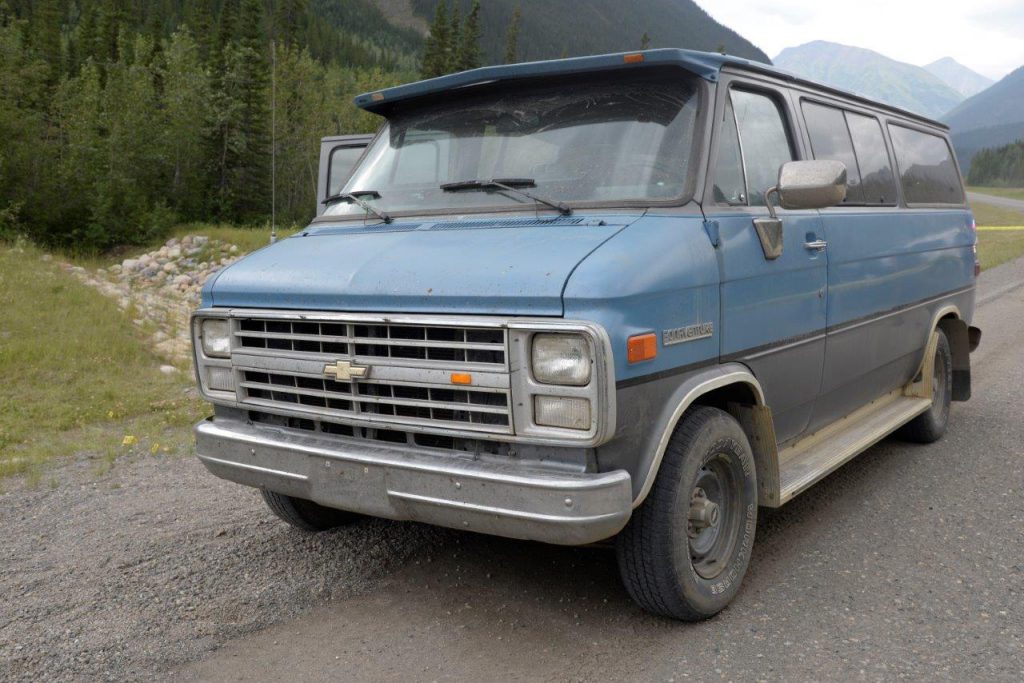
(926, 167)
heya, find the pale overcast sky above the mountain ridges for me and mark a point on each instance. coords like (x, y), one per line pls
(985, 35)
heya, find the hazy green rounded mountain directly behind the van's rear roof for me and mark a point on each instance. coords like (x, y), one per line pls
(872, 75)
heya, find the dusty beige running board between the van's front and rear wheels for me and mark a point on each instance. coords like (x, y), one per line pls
(817, 456)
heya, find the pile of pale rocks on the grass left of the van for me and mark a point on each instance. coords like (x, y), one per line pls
(161, 289)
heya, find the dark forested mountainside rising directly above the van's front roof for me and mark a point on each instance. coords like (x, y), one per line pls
(553, 29)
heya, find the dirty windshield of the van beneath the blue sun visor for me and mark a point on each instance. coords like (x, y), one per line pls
(622, 140)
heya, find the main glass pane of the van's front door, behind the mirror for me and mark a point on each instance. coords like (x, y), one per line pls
(763, 140)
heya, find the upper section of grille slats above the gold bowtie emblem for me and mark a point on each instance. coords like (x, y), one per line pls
(457, 346)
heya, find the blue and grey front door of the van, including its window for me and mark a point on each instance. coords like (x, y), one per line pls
(773, 306)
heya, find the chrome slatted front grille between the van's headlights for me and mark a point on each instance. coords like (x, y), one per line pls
(280, 367)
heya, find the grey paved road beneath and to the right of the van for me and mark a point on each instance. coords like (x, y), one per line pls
(909, 563)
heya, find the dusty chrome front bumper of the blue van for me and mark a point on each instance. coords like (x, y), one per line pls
(509, 500)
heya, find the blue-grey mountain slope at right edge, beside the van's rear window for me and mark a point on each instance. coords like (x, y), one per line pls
(991, 119)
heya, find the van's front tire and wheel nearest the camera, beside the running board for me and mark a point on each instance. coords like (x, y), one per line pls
(687, 548)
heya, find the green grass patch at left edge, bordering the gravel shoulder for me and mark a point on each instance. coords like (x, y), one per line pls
(77, 375)
